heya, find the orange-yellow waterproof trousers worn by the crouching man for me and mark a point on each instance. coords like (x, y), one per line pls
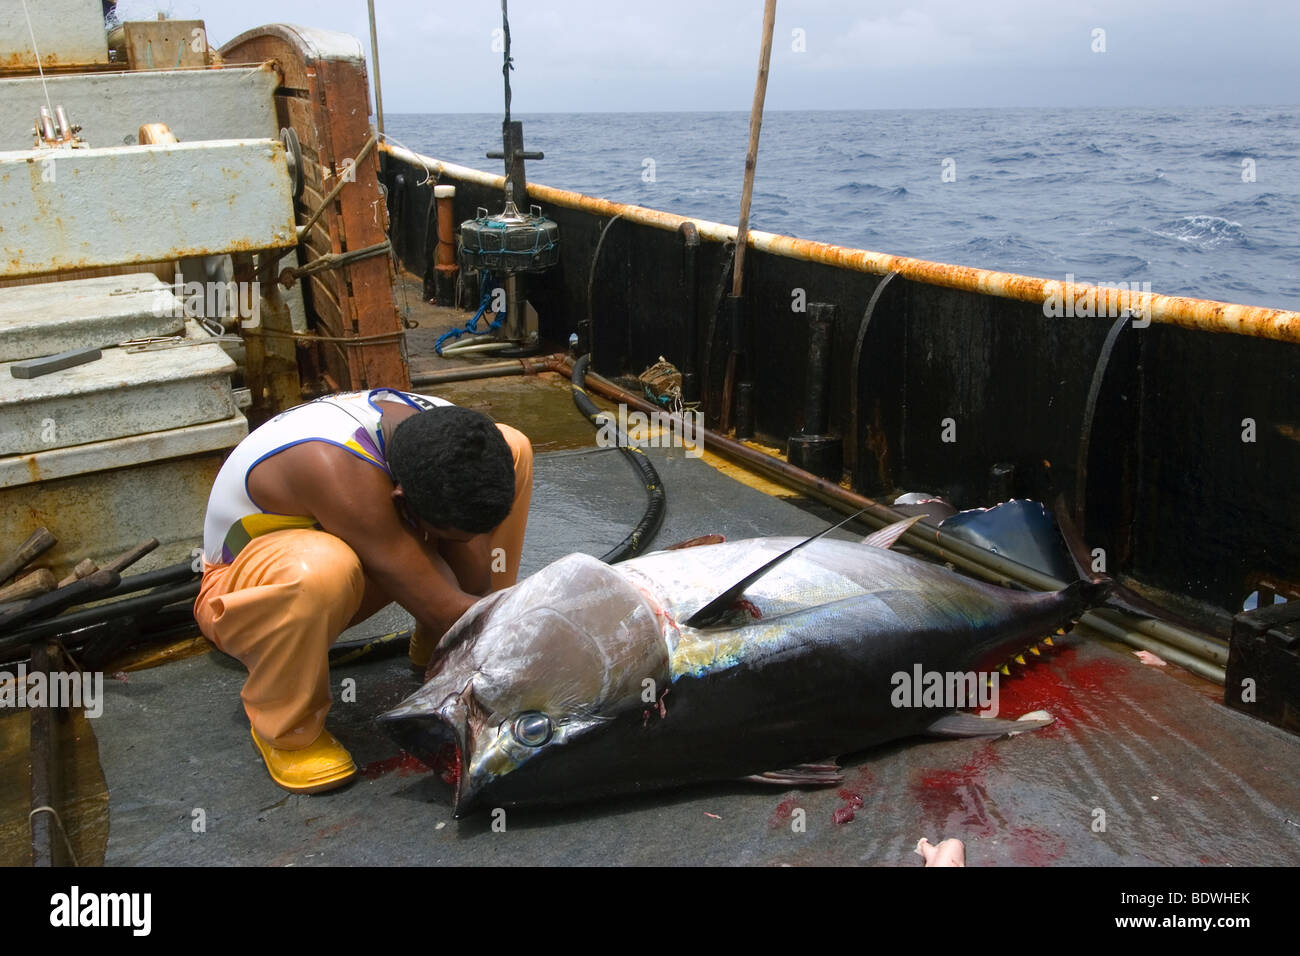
(288, 596)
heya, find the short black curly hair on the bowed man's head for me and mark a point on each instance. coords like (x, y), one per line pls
(456, 469)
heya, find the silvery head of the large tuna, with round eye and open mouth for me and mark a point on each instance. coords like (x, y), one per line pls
(530, 671)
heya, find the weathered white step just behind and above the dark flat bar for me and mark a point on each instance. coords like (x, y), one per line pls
(98, 313)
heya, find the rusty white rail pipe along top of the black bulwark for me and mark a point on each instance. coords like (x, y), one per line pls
(1206, 315)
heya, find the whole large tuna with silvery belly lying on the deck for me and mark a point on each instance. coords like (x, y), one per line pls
(586, 681)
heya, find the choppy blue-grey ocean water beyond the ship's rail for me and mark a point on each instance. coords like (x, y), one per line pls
(1197, 202)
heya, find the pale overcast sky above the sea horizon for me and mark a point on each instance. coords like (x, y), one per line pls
(674, 55)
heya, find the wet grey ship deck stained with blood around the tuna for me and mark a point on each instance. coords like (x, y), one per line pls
(1145, 765)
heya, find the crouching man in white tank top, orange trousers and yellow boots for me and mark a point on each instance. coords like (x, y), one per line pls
(333, 511)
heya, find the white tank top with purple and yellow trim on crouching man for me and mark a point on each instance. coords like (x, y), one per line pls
(349, 421)
